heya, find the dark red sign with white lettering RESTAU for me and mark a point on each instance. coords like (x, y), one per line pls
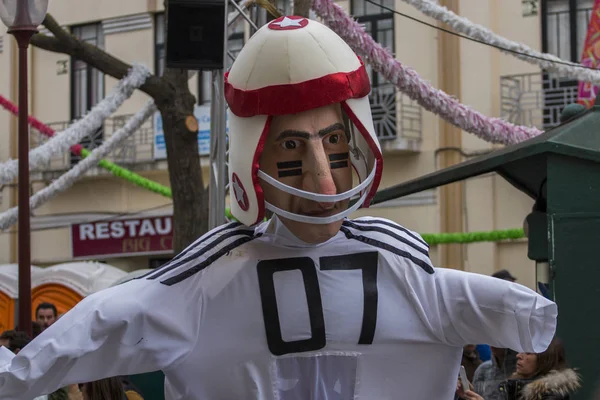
(138, 236)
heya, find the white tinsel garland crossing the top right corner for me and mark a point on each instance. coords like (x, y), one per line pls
(544, 60)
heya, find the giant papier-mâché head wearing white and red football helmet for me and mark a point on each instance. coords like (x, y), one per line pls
(299, 117)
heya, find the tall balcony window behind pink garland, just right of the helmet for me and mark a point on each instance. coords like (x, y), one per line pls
(379, 22)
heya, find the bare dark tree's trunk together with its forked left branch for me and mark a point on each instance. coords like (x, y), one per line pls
(172, 96)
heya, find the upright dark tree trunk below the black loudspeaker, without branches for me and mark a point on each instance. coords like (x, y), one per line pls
(190, 206)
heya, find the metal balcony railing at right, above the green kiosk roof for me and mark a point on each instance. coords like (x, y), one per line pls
(536, 99)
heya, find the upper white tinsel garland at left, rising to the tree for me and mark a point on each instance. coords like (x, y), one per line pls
(93, 120)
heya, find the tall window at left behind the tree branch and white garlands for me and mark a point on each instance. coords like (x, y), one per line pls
(87, 83)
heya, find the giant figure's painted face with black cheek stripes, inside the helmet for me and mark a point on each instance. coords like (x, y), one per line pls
(307, 152)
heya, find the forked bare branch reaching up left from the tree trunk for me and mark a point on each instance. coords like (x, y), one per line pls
(64, 42)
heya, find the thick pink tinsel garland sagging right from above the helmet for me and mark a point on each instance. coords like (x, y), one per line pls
(494, 130)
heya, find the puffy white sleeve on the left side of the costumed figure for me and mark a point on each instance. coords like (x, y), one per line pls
(139, 326)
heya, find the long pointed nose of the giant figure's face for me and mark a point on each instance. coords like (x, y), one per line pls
(317, 176)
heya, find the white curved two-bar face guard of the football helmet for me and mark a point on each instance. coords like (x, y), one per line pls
(319, 217)
